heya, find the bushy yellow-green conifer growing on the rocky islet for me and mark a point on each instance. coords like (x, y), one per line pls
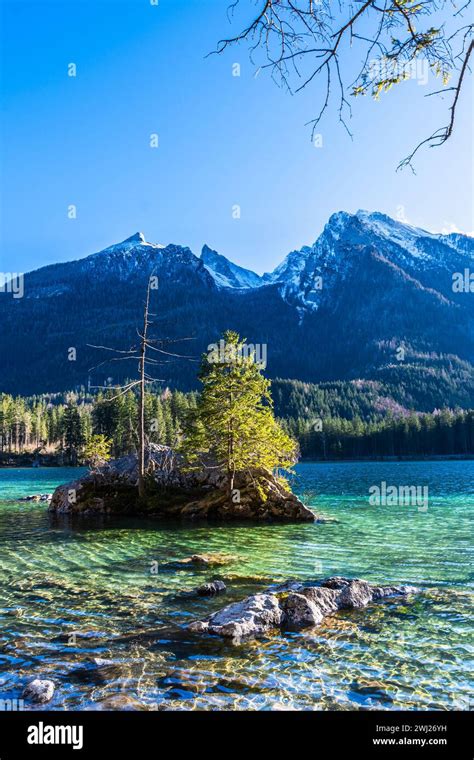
(233, 427)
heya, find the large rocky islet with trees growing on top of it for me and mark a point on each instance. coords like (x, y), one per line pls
(173, 492)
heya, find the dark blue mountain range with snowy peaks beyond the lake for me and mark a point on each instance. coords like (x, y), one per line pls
(372, 299)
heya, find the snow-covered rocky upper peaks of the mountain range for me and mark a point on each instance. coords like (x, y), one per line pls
(306, 276)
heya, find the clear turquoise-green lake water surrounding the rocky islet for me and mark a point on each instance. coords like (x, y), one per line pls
(72, 591)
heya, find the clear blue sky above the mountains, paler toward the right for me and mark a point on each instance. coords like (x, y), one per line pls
(223, 140)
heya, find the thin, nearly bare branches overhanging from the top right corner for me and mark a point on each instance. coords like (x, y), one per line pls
(382, 40)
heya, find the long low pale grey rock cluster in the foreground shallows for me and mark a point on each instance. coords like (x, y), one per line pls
(297, 606)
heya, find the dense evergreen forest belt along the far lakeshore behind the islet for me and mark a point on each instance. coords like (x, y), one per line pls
(340, 420)
